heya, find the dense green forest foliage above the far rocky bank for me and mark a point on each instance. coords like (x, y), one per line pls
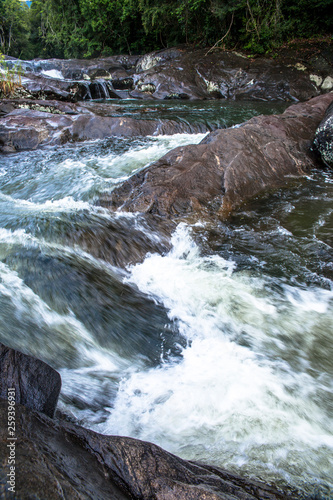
(91, 28)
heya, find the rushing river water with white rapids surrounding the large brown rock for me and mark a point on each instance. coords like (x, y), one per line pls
(219, 349)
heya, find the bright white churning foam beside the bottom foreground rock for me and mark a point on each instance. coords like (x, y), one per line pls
(228, 401)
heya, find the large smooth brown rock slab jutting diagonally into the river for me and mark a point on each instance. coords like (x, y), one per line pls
(228, 167)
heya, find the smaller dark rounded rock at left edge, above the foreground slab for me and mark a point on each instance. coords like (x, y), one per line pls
(36, 384)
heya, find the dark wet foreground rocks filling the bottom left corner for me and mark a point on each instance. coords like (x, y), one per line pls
(57, 459)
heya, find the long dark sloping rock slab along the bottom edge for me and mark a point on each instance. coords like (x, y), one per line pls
(58, 459)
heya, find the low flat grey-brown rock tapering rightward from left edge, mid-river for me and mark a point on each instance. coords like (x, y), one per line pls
(30, 124)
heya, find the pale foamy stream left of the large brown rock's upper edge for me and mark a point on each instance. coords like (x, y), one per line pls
(84, 179)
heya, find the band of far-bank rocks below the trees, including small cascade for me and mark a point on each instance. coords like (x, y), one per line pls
(178, 73)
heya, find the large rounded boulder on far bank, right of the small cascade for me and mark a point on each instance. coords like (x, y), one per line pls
(222, 74)
